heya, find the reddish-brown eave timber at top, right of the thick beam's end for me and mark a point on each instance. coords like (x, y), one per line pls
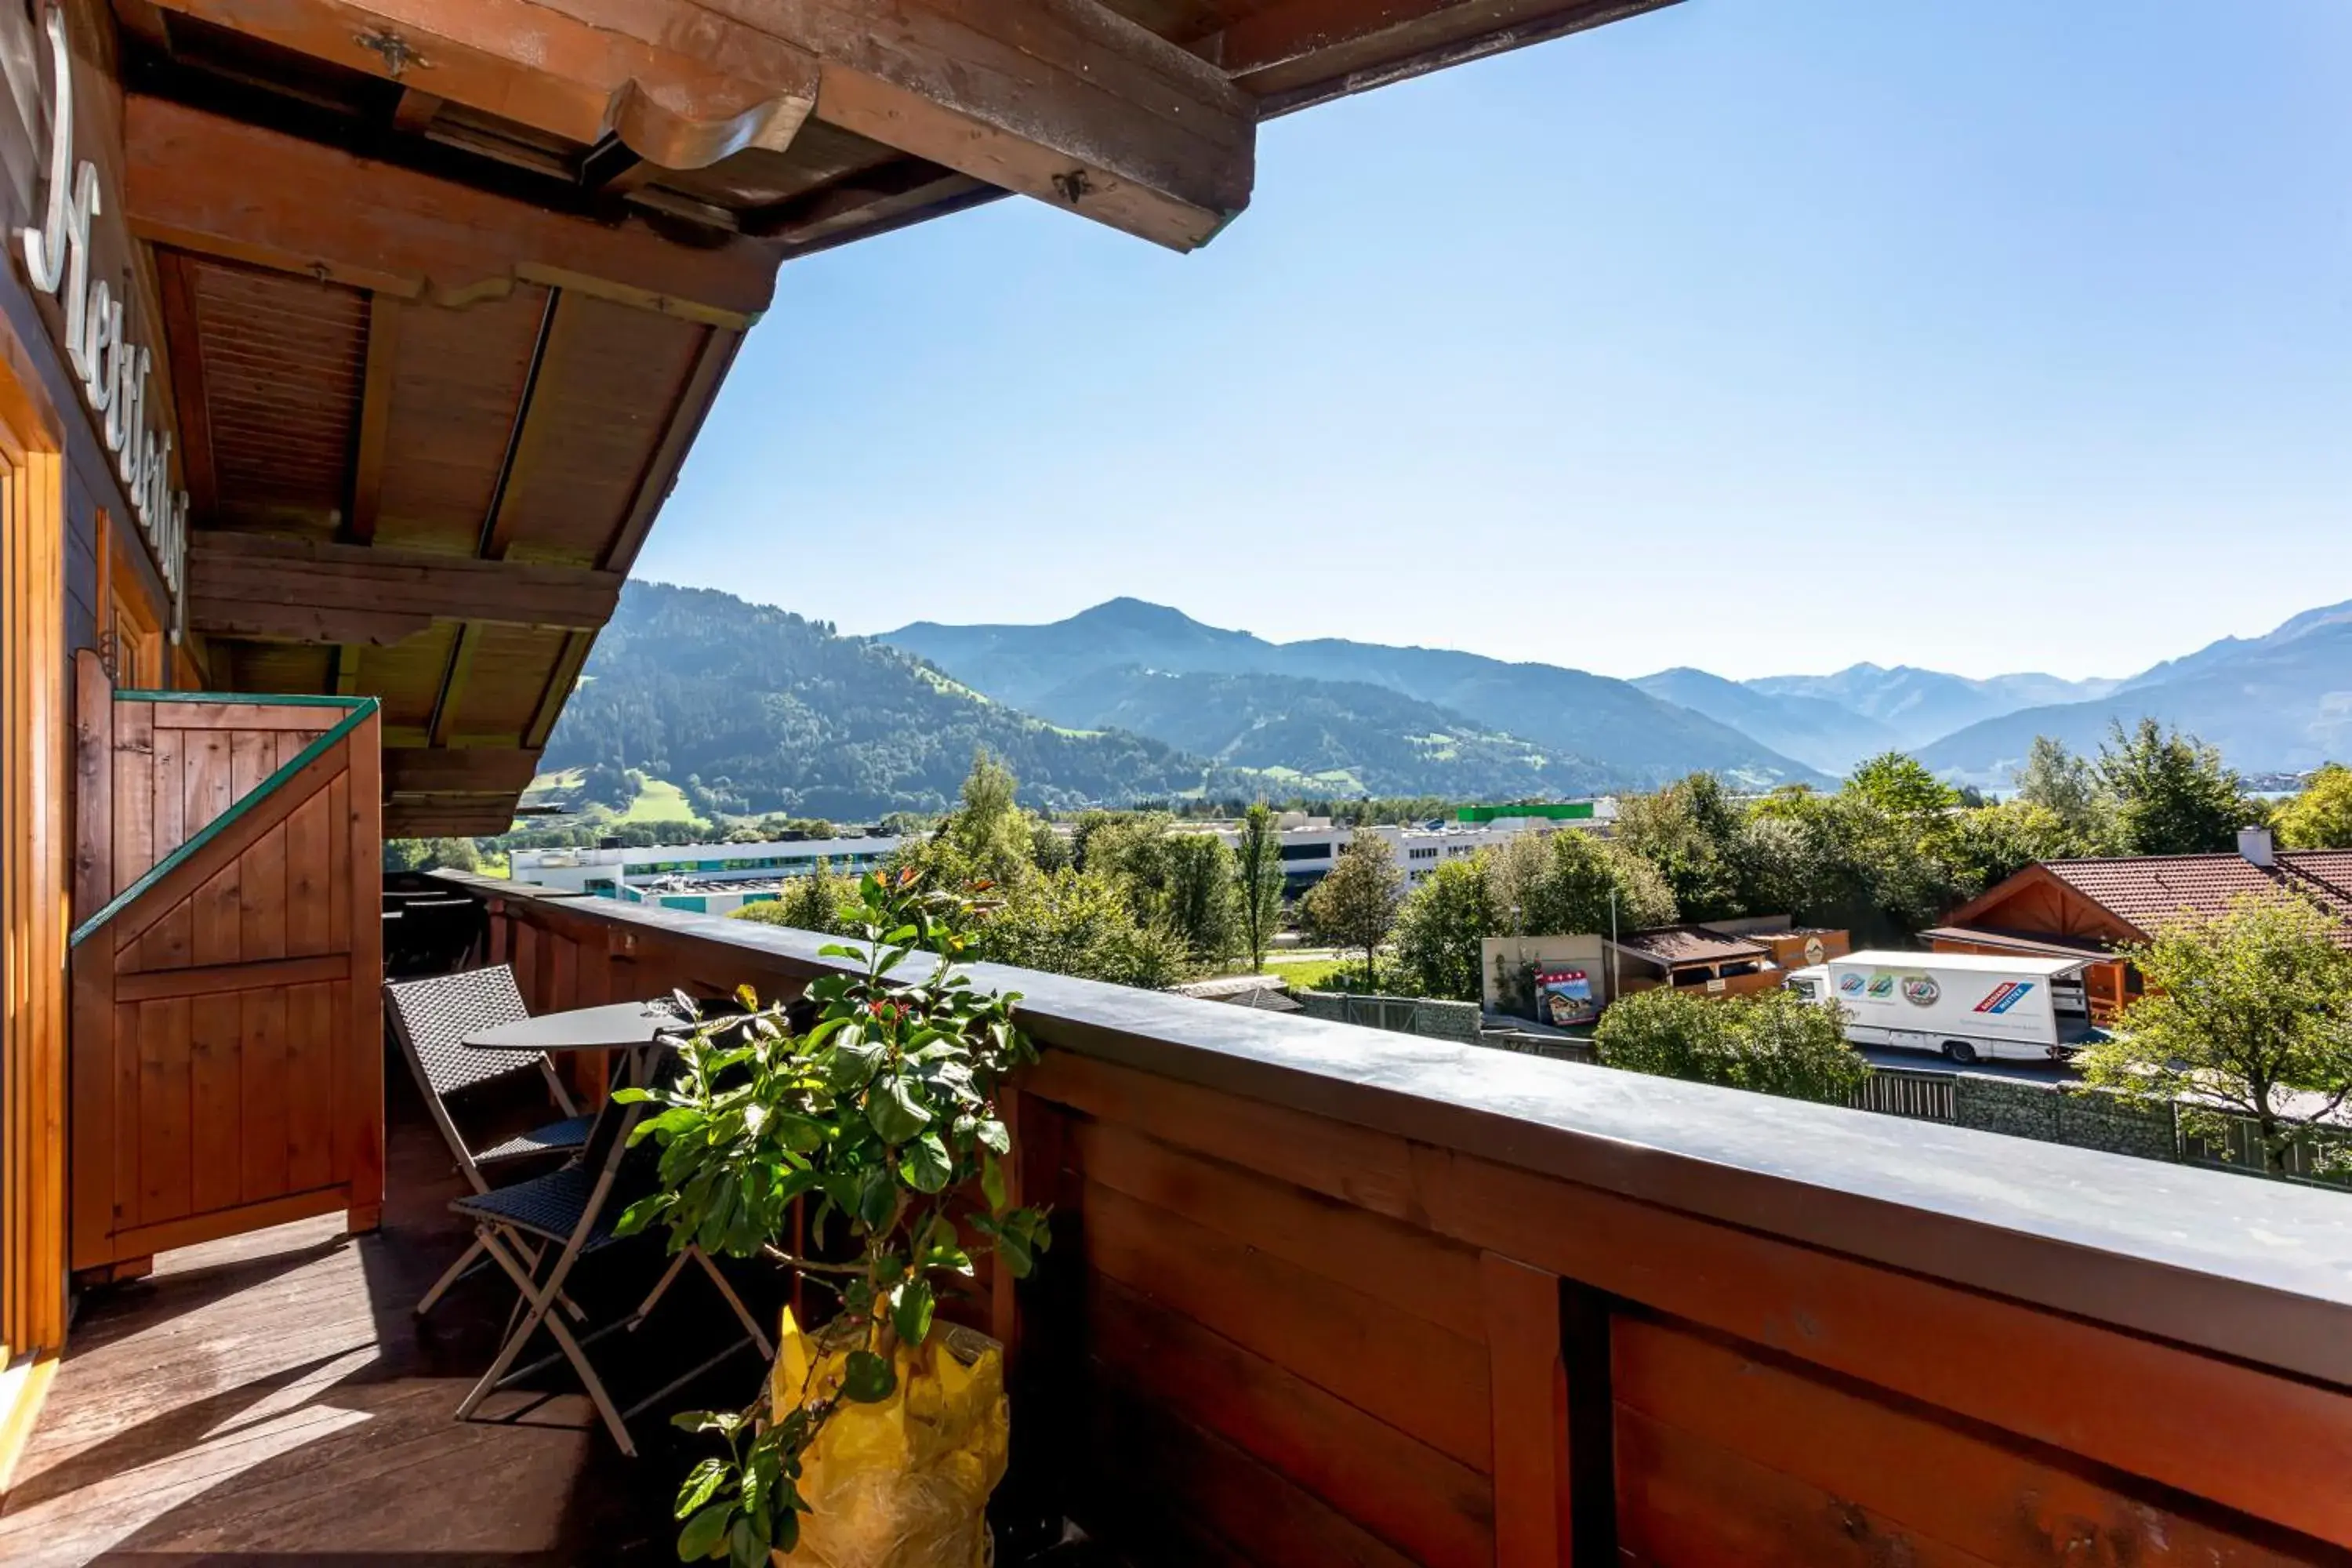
(1299, 53)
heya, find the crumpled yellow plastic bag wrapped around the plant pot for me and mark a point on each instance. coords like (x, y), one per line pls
(904, 1482)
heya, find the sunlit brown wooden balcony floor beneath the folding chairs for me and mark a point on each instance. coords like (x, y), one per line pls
(276, 1400)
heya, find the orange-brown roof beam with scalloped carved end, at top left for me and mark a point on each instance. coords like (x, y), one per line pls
(566, 74)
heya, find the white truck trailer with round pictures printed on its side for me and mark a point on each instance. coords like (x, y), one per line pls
(1958, 1003)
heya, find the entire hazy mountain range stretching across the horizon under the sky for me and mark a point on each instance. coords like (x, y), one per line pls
(759, 711)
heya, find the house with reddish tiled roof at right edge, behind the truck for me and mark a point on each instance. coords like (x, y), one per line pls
(2069, 909)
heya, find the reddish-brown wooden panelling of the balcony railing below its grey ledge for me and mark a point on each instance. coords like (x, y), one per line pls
(1278, 1339)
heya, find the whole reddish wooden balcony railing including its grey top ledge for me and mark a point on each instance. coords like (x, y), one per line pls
(1335, 1296)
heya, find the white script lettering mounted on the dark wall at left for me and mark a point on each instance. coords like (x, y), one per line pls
(114, 370)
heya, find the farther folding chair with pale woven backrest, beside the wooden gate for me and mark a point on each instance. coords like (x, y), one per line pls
(432, 1021)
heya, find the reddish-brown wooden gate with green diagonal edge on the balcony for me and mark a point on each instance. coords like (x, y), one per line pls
(227, 1036)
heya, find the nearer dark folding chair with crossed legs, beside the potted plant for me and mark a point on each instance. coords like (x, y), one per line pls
(575, 1212)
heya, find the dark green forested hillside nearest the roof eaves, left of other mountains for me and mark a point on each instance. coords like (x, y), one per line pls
(756, 709)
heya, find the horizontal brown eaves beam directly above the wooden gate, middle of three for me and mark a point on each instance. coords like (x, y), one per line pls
(316, 591)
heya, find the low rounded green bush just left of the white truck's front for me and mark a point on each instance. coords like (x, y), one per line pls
(1772, 1043)
